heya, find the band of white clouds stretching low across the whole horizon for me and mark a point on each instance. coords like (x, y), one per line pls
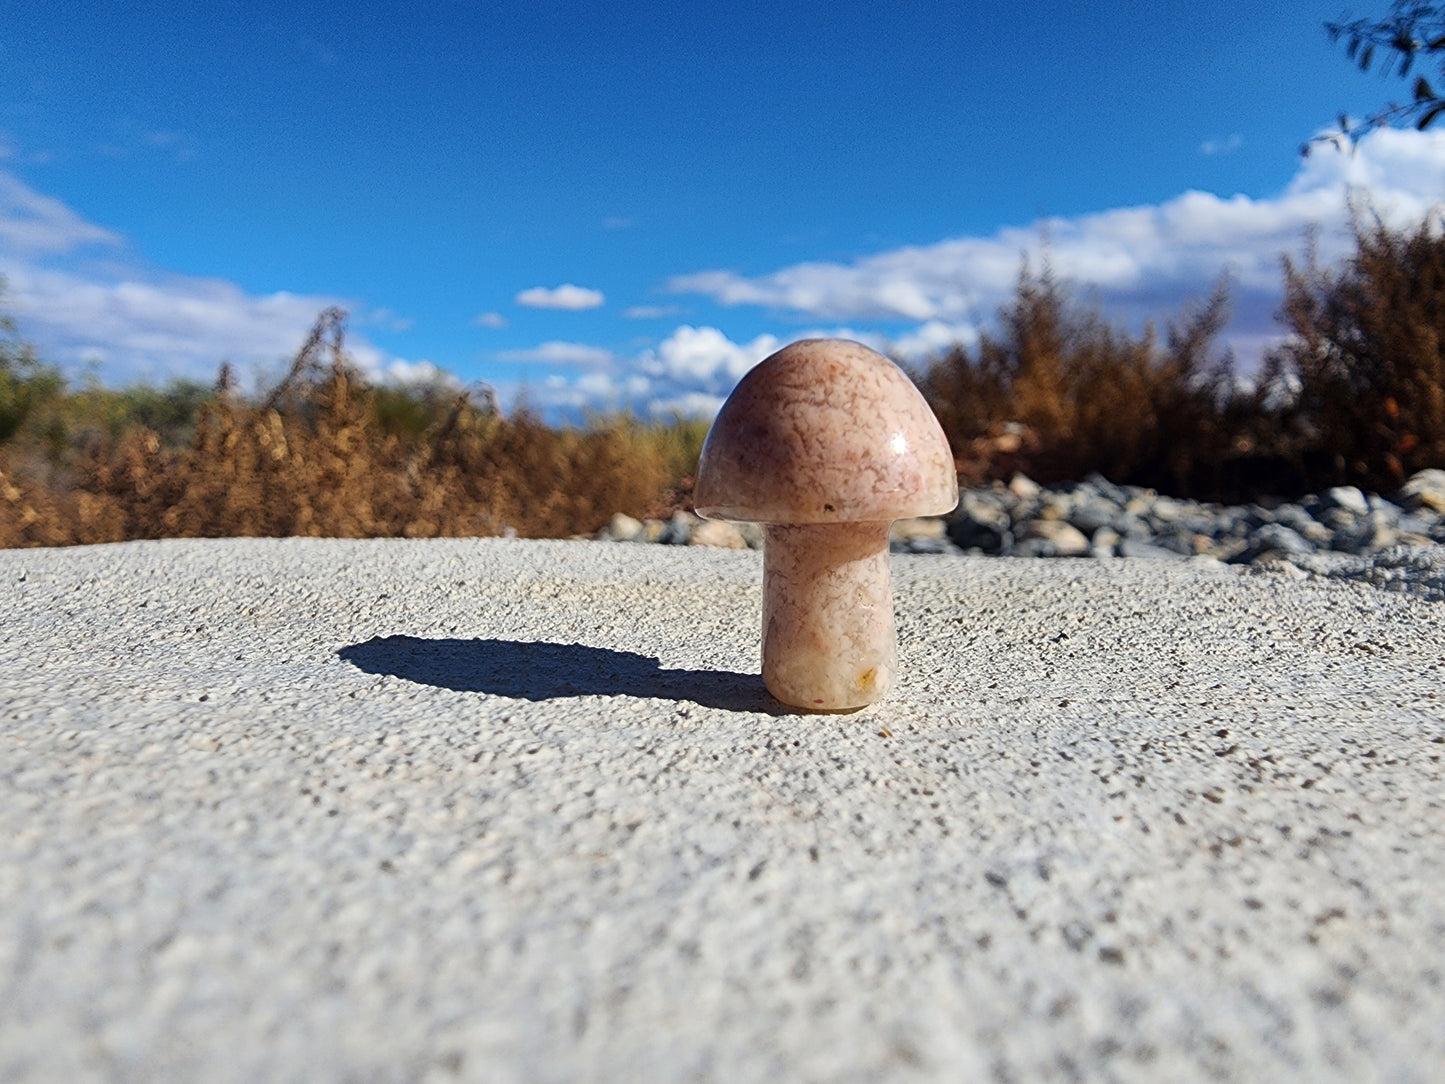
(85, 298)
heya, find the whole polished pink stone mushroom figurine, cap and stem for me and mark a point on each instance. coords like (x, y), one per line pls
(826, 444)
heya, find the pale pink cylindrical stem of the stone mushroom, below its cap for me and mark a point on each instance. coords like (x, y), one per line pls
(829, 640)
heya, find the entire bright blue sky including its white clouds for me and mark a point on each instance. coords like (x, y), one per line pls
(631, 205)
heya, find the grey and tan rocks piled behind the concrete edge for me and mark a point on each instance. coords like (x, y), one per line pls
(1099, 520)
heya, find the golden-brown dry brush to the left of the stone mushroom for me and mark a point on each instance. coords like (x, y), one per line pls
(327, 455)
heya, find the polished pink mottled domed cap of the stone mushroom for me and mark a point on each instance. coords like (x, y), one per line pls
(826, 431)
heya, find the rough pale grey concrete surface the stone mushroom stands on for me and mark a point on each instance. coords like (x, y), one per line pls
(521, 812)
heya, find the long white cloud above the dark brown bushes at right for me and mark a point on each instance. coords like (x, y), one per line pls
(1141, 261)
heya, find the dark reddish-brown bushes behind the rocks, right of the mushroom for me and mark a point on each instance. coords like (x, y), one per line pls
(1355, 395)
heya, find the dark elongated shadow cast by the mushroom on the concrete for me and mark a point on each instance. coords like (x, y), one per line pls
(540, 670)
